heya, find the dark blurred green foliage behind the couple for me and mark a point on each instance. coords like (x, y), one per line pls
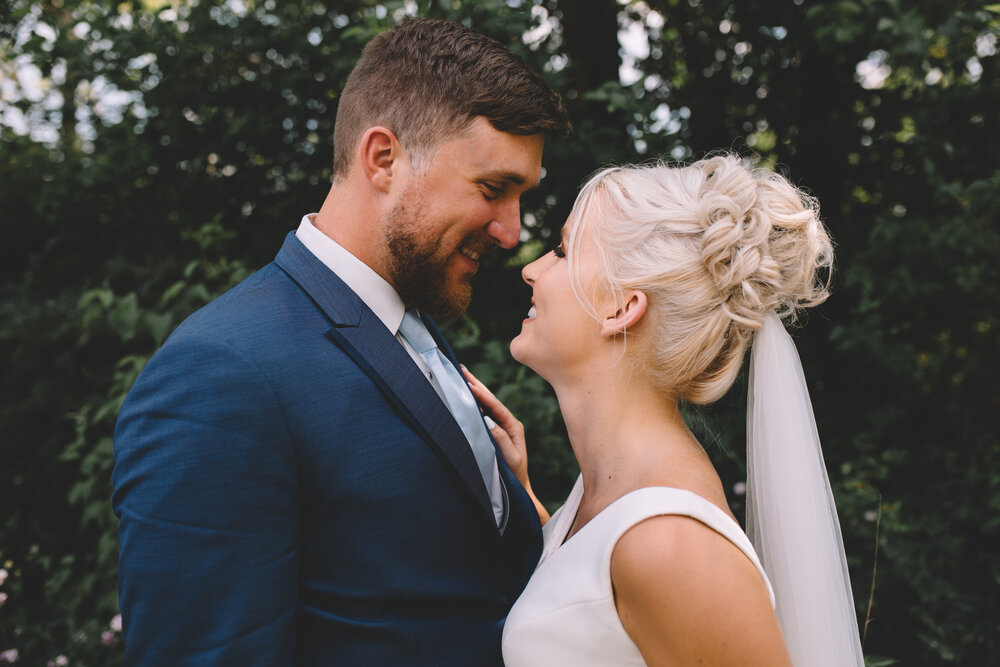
(153, 153)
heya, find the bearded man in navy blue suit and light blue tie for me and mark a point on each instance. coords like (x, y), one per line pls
(299, 477)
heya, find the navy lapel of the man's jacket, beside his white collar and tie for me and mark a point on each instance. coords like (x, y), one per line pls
(364, 338)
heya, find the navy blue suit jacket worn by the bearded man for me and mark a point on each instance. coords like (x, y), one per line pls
(291, 490)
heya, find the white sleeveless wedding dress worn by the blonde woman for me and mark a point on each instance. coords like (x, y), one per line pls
(566, 615)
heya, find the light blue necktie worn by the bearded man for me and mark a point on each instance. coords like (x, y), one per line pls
(457, 394)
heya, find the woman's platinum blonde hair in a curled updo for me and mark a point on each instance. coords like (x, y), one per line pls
(715, 246)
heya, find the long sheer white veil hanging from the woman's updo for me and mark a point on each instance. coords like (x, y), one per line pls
(791, 516)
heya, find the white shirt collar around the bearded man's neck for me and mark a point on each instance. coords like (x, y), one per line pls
(373, 289)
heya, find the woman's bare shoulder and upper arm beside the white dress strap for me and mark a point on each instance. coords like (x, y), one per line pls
(686, 594)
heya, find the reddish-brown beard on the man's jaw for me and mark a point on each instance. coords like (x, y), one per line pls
(419, 262)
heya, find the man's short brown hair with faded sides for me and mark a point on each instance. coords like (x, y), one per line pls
(427, 79)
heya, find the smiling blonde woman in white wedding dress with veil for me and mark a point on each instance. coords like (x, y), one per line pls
(662, 279)
